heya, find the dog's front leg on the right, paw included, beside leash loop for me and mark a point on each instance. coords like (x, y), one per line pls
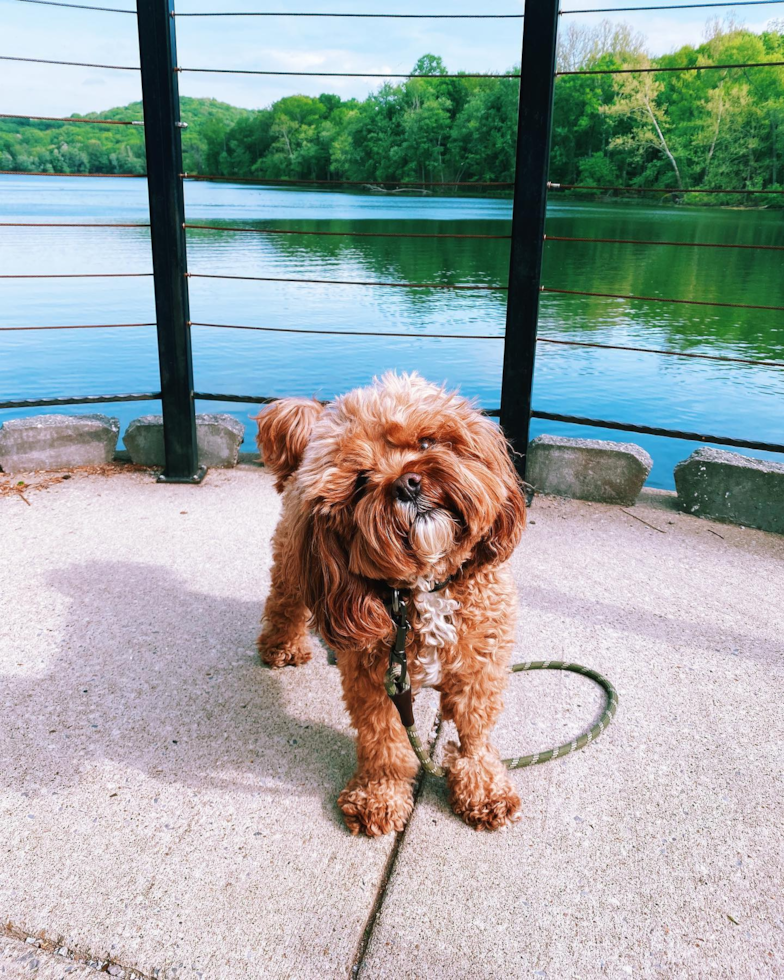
(480, 789)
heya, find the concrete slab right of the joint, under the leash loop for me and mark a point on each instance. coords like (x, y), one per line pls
(657, 852)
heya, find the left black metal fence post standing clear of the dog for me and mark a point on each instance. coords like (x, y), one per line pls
(160, 94)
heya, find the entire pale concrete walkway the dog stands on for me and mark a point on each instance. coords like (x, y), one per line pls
(167, 806)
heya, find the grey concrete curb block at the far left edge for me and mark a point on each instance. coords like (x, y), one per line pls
(54, 442)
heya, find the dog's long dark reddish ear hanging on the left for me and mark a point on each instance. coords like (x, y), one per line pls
(347, 613)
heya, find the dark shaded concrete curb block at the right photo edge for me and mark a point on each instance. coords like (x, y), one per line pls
(735, 489)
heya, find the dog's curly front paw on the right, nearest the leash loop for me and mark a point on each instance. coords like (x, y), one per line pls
(480, 790)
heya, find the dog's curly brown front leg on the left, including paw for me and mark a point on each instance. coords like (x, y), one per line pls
(379, 797)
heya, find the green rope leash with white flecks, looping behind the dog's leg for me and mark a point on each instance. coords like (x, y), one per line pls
(398, 686)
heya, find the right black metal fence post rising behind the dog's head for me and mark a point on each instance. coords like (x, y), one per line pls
(537, 79)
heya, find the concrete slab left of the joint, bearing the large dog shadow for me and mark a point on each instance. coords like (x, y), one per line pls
(168, 805)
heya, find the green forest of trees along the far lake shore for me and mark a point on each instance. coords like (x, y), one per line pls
(707, 129)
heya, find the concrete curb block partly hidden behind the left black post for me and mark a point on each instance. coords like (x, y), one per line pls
(218, 437)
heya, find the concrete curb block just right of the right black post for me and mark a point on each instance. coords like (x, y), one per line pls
(588, 469)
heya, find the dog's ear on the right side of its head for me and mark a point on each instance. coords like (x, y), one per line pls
(507, 528)
